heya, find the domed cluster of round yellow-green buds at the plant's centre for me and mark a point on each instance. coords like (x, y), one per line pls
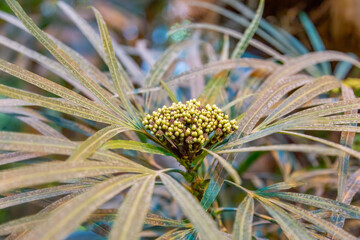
(189, 127)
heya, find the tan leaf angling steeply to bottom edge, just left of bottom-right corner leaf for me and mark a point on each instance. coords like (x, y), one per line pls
(291, 227)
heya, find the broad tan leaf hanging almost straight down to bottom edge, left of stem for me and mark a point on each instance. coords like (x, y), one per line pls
(132, 212)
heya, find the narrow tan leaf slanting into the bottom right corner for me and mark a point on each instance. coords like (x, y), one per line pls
(337, 232)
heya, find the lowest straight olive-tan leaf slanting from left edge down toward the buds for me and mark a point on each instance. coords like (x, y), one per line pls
(54, 104)
